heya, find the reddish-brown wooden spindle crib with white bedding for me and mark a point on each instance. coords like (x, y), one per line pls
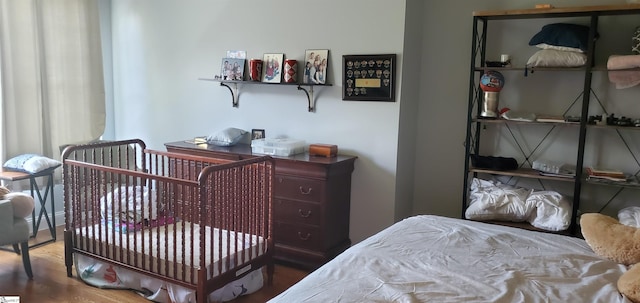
(173, 227)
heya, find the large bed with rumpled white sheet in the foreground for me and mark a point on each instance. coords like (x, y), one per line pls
(430, 258)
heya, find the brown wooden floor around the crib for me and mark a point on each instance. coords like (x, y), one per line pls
(50, 282)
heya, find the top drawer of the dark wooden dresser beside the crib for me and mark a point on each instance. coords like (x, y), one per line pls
(299, 189)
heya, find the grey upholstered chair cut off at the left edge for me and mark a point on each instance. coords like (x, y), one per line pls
(14, 229)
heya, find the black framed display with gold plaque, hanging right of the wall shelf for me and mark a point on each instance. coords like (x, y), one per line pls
(368, 77)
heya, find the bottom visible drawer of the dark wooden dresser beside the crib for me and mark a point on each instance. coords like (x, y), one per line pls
(306, 237)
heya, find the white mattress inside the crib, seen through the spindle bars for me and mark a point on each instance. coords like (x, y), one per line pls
(117, 245)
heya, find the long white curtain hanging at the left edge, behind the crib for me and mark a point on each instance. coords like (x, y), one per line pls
(51, 76)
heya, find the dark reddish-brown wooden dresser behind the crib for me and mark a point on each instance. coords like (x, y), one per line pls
(311, 203)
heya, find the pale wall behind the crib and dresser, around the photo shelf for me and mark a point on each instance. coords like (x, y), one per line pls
(161, 48)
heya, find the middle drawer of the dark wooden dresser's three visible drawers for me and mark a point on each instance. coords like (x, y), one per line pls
(297, 212)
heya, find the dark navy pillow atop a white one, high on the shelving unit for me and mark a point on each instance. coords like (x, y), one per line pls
(563, 34)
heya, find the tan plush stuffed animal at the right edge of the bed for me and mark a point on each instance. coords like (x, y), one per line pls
(618, 242)
